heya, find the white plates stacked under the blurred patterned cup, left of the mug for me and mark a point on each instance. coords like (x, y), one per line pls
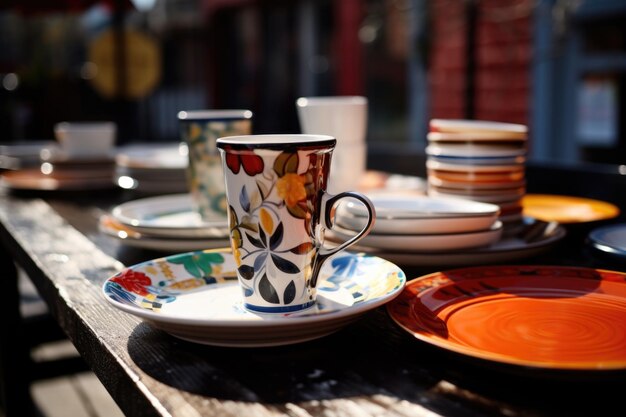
(165, 223)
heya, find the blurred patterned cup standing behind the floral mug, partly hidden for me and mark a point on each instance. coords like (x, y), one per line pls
(200, 129)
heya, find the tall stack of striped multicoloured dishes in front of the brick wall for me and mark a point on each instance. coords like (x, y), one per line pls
(479, 160)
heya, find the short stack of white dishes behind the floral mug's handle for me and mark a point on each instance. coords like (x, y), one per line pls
(420, 224)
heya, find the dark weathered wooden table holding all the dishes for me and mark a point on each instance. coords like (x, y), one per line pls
(370, 368)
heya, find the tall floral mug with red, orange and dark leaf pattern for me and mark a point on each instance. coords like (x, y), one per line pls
(278, 212)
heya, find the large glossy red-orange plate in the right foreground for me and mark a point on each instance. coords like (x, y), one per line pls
(548, 317)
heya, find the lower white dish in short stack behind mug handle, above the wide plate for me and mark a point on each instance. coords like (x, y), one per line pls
(422, 243)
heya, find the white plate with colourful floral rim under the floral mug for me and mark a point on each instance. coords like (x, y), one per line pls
(196, 297)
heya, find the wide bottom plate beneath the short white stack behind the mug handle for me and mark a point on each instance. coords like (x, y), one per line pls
(507, 249)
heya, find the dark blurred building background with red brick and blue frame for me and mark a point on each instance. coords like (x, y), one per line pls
(557, 65)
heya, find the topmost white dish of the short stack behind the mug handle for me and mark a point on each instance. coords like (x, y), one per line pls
(419, 207)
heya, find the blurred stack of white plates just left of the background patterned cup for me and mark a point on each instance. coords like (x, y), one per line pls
(152, 169)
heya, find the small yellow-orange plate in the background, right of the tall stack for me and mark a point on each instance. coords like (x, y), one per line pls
(566, 209)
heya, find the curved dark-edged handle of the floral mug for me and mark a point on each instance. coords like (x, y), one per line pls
(328, 202)
